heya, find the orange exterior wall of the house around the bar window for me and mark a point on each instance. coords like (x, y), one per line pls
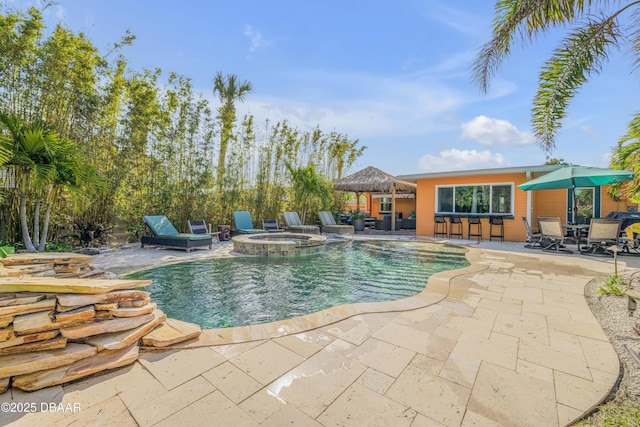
(543, 203)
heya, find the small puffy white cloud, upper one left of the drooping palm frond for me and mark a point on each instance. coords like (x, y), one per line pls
(494, 132)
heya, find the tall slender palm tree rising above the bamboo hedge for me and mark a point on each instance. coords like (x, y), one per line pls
(229, 90)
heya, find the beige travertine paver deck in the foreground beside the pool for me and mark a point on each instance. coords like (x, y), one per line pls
(508, 341)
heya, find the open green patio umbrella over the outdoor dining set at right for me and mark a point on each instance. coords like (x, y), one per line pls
(576, 176)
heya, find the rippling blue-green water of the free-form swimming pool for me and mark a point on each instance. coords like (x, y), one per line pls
(238, 291)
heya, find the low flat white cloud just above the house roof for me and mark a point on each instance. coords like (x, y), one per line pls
(455, 159)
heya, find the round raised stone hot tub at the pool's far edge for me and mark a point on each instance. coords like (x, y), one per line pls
(279, 244)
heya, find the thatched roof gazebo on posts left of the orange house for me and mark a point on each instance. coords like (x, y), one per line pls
(373, 180)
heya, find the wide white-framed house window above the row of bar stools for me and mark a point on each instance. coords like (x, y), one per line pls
(475, 199)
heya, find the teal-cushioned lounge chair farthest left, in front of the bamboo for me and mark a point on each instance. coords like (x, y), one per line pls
(165, 234)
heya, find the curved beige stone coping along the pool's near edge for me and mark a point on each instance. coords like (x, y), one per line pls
(438, 287)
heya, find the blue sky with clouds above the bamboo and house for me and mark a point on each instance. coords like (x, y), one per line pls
(395, 76)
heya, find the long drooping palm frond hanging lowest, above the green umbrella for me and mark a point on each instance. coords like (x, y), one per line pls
(580, 55)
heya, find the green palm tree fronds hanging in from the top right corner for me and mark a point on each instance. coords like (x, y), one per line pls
(595, 32)
